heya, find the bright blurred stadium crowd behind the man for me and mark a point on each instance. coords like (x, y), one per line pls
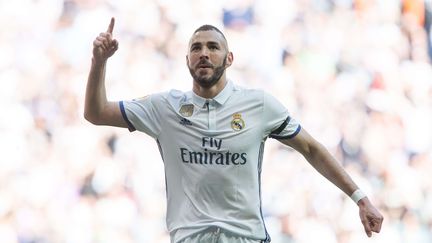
(357, 74)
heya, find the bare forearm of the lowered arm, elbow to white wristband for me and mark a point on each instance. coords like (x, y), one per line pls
(327, 165)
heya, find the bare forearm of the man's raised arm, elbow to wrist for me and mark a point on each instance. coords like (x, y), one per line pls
(95, 98)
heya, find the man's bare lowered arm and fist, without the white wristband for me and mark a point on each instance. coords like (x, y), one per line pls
(318, 156)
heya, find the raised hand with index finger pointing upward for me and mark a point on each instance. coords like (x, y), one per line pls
(104, 46)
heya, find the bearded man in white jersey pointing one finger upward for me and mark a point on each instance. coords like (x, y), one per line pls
(211, 140)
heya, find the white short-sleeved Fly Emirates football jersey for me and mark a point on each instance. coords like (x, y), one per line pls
(212, 151)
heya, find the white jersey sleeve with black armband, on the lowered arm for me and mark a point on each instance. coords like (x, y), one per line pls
(279, 123)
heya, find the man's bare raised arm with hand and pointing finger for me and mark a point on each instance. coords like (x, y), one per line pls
(97, 109)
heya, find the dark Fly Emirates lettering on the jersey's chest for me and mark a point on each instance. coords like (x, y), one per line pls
(211, 154)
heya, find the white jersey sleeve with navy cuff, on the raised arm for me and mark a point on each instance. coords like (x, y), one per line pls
(141, 114)
